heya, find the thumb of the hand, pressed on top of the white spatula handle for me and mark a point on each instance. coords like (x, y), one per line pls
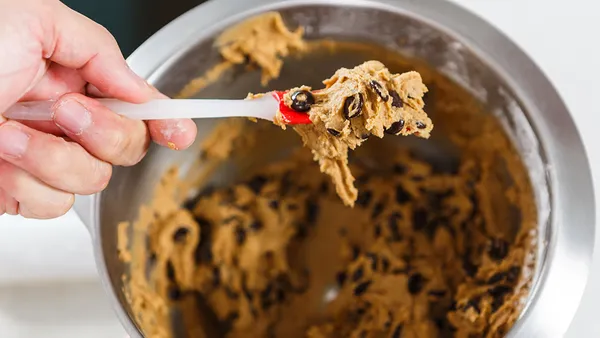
(79, 43)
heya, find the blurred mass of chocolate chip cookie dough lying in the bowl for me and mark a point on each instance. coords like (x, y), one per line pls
(413, 259)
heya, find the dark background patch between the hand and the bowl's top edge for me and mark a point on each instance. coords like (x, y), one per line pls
(132, 21)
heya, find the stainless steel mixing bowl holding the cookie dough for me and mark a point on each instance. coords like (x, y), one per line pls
(454, 41)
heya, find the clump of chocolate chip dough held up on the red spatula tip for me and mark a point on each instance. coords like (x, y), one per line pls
(355, 104)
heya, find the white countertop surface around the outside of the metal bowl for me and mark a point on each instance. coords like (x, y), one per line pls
(55, 259)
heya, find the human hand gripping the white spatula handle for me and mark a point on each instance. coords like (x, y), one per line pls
(48, 51)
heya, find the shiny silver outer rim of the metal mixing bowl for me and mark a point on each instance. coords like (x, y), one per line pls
(555, 297)
